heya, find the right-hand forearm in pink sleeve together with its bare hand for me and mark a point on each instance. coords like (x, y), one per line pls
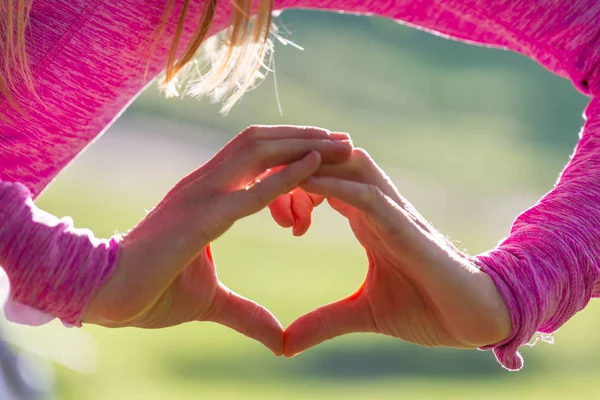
(421, 289)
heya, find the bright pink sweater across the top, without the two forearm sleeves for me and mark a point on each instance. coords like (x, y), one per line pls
(88, 58)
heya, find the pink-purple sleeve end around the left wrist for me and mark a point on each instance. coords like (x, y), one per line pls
(53, 268)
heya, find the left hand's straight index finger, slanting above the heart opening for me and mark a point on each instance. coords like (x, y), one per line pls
(242, 203)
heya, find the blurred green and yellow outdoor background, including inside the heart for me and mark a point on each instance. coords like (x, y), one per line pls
(471, 136)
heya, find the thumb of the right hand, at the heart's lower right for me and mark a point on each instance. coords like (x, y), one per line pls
(342, 317)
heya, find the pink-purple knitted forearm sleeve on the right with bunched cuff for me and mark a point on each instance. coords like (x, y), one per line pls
(548, 268)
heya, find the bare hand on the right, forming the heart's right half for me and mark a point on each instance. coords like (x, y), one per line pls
(418, 287)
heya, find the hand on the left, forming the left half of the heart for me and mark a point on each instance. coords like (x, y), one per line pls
(166, 272)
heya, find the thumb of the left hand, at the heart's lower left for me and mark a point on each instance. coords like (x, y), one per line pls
(246, 317)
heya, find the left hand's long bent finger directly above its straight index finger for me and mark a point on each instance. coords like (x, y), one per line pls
(244, 166)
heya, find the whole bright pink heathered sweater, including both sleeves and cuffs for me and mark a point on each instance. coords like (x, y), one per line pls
(87, 58)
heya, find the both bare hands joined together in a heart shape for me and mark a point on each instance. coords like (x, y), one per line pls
(418, 287)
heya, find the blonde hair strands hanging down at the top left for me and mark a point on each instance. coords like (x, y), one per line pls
(223, 66)
